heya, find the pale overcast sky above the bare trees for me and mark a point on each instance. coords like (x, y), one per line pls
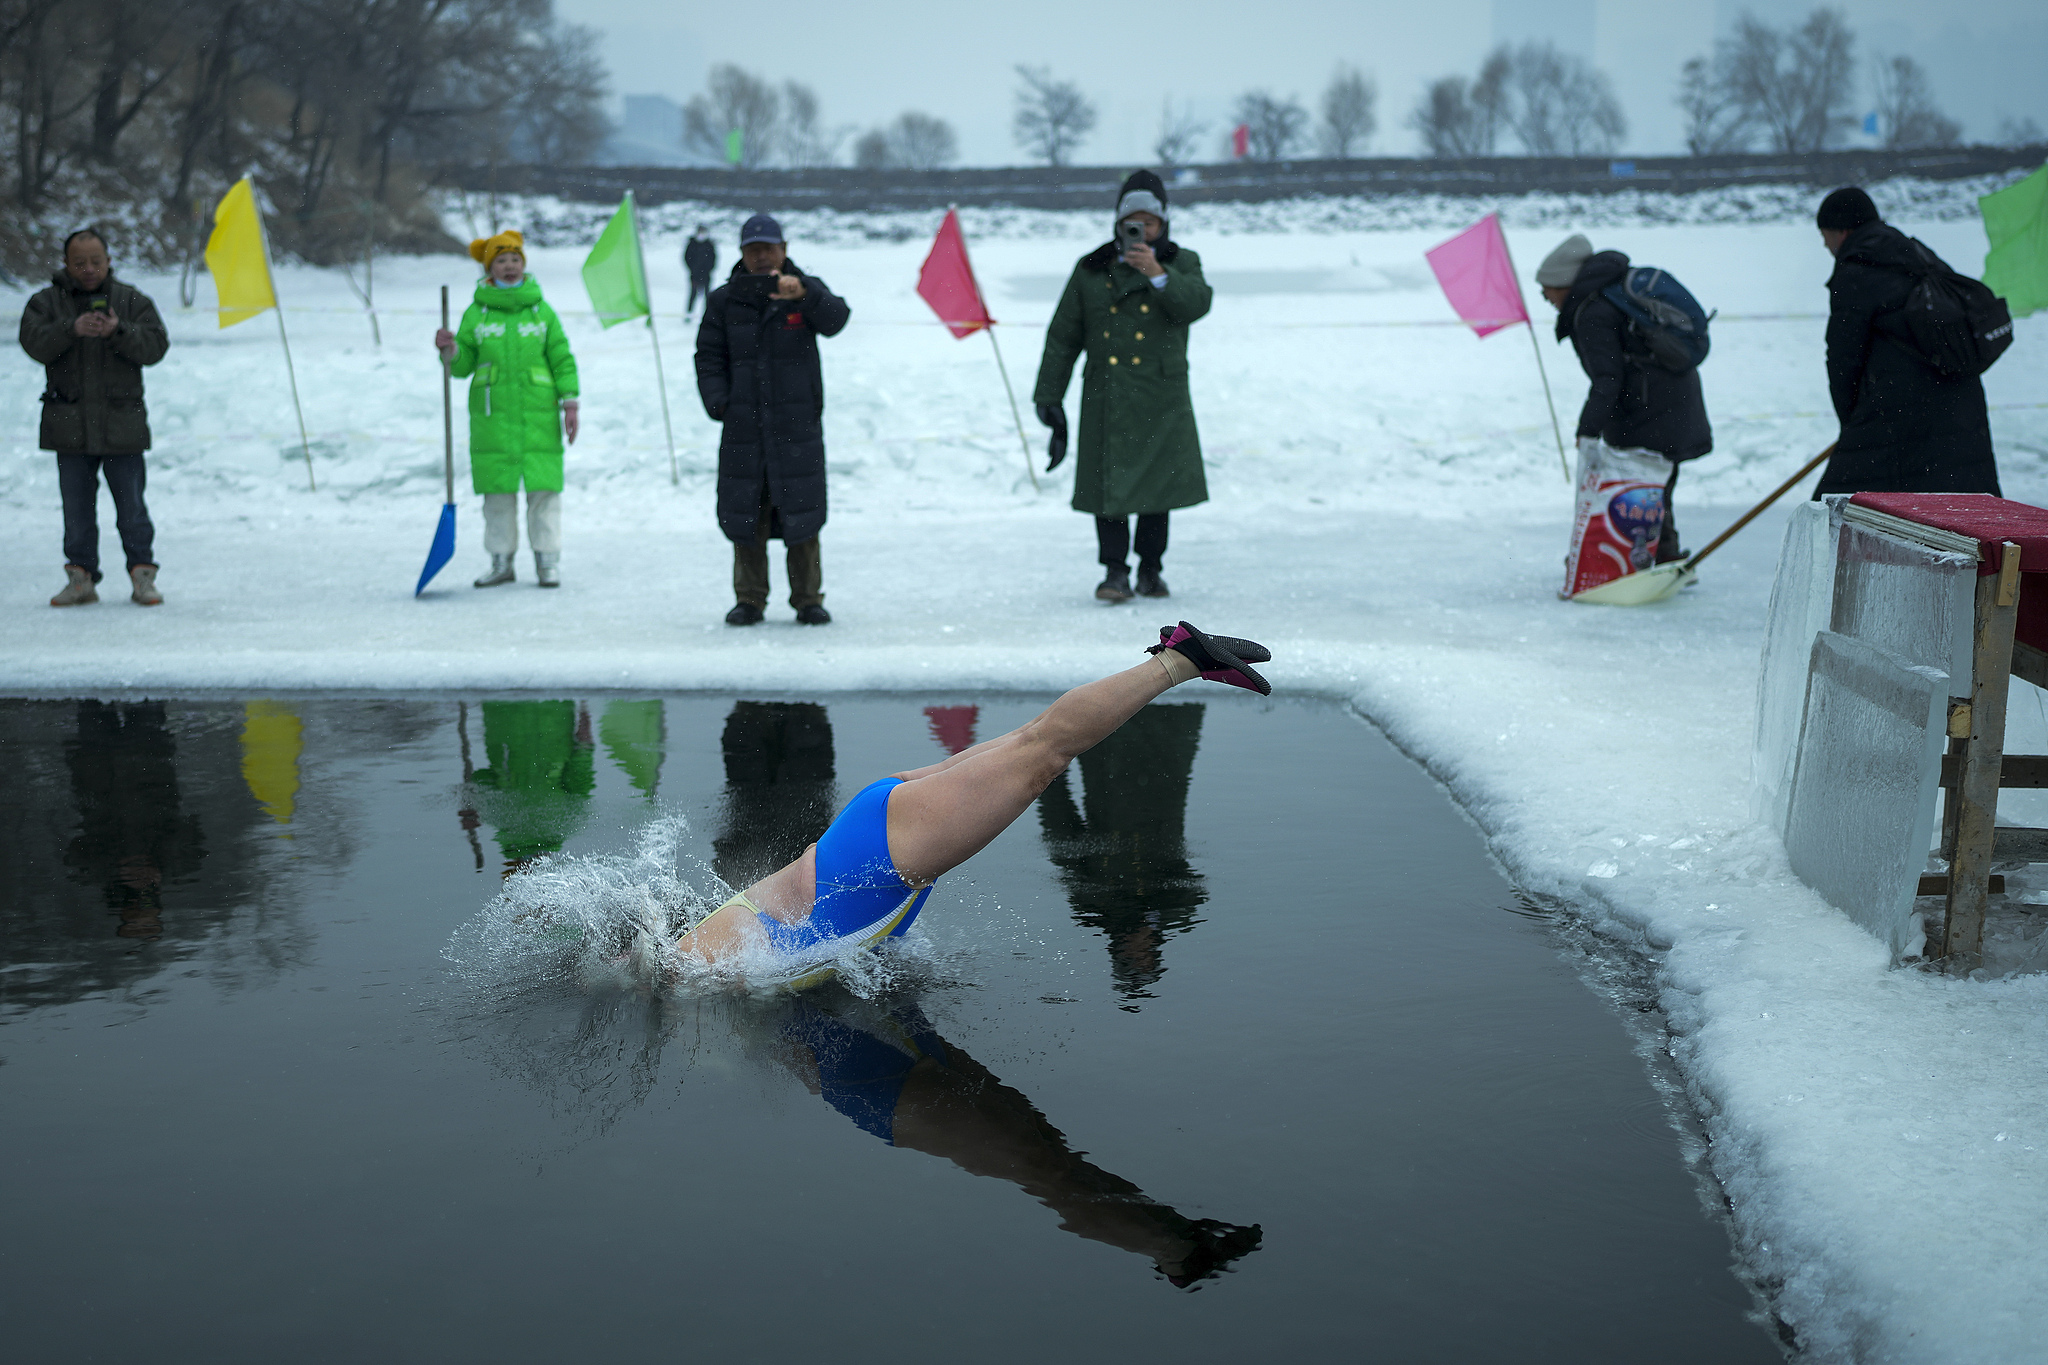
(871, 60)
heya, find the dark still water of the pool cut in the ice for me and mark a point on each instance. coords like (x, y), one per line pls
(1242, 1008)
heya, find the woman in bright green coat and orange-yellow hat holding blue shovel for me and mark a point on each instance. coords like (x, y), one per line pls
(521, 404)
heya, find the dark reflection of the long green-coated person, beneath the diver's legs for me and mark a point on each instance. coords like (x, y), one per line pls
(1125, 865)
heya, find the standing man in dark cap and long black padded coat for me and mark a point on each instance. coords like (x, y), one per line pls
(757, 371)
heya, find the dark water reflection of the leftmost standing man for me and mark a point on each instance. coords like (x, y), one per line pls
(132, 832)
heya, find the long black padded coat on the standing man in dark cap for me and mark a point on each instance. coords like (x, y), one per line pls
(757, 371)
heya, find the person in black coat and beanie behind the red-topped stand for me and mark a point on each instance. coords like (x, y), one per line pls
(1906, 427)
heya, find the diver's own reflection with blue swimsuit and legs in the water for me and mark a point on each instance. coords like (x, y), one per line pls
(898, 1080)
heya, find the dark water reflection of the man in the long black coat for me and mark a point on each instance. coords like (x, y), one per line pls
(779, 787)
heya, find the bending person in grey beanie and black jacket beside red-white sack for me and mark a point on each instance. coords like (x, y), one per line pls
(1635, 402)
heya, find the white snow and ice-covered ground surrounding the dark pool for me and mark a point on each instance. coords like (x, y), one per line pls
(1390, 517)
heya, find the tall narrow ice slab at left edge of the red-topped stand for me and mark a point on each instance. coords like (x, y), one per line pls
(1801, 607)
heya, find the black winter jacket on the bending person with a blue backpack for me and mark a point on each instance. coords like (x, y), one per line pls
(1635, 404)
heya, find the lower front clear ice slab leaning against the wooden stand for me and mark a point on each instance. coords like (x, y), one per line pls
(1861, 816)
